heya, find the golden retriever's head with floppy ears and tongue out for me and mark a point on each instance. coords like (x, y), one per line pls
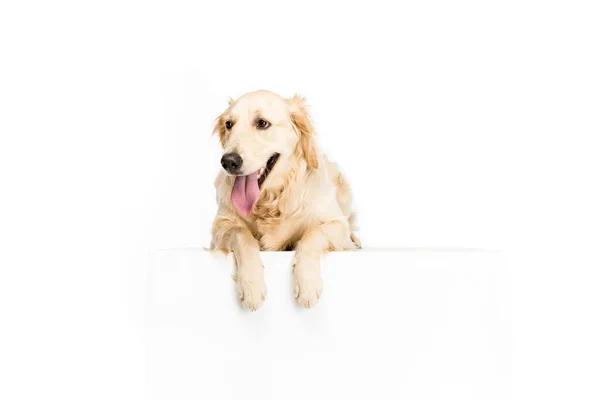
(263, 137)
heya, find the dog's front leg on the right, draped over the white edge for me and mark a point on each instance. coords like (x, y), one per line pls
(307, 263)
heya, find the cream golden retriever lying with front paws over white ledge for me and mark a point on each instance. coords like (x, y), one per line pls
(277, 192)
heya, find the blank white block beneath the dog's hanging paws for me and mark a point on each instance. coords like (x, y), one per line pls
(412, 324)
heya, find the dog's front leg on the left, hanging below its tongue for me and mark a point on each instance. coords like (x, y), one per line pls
(250, 275)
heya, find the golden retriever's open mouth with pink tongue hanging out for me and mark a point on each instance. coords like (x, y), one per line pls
(246, 188)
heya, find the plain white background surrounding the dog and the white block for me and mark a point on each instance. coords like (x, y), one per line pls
(459, 124)
